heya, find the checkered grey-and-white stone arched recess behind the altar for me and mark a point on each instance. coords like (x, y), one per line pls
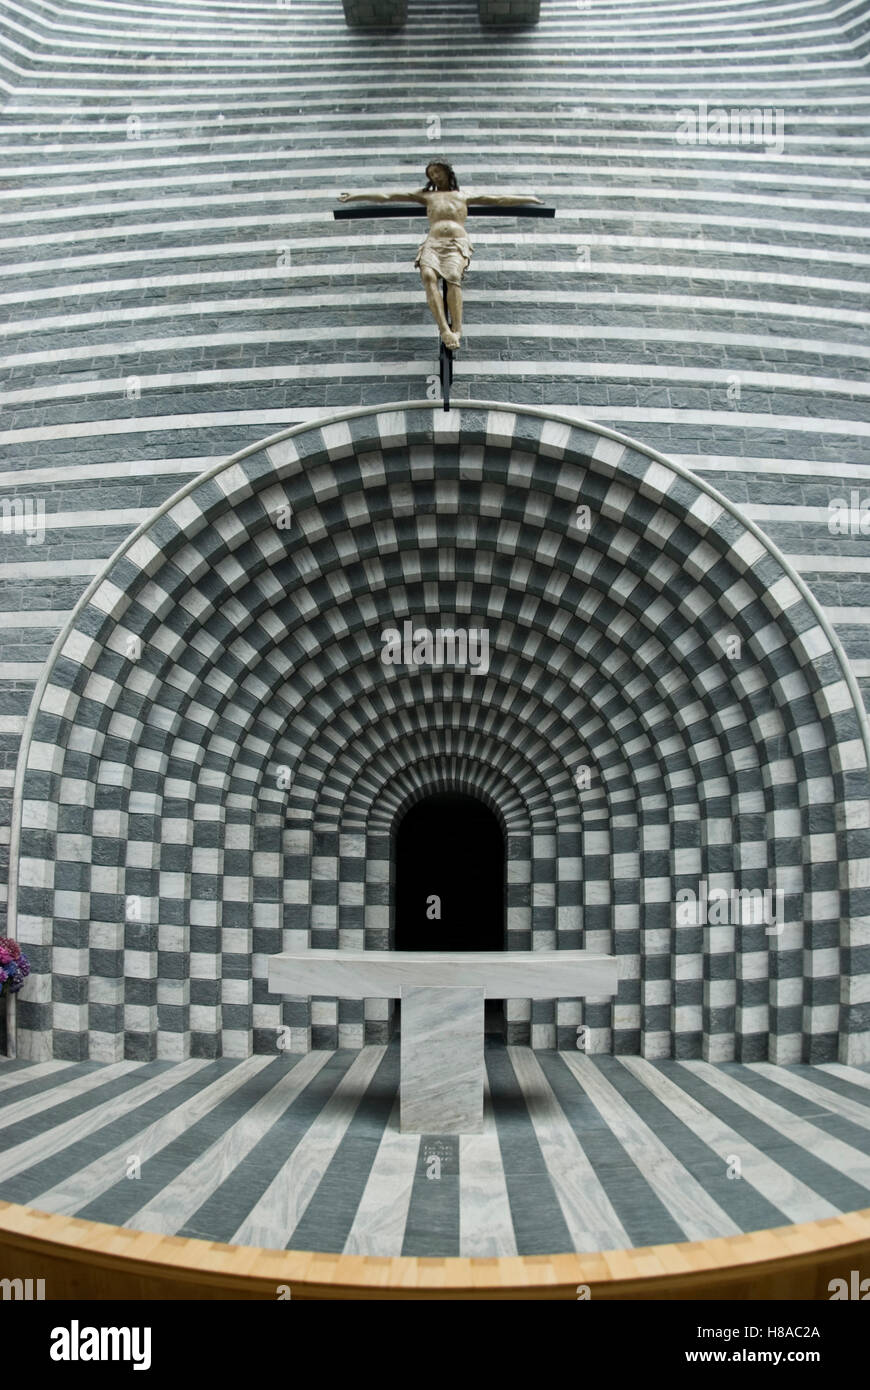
(217, 751)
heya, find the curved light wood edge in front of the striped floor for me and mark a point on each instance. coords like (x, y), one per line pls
(87, 1260)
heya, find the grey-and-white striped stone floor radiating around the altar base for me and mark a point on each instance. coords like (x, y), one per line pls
(305, 1152)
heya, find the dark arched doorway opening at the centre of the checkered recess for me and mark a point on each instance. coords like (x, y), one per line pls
(451, 882)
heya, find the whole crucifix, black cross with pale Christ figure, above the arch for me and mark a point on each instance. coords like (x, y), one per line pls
(447, 252)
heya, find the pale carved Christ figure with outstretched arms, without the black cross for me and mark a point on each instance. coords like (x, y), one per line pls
(447, 251)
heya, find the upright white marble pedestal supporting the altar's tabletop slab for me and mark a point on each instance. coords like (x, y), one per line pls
(443, 1060)
